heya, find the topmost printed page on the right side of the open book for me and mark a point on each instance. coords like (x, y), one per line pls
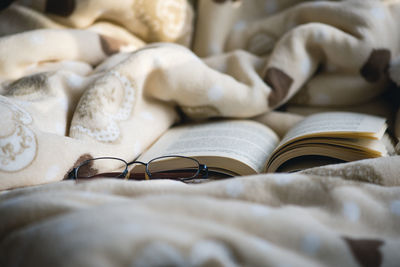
(332, 123)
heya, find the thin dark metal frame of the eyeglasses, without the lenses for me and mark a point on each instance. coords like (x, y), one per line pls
(202, 168)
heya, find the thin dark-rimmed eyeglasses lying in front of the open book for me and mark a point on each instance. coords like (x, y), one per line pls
(166, 167)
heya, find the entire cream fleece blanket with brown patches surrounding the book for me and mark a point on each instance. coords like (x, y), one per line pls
(82, 79)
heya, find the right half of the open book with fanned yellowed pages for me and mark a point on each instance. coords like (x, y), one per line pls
(342, 135)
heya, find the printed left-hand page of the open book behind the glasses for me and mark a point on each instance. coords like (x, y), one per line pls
(244, 140)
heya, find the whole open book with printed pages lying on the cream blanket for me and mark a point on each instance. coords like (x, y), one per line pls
(244, 147)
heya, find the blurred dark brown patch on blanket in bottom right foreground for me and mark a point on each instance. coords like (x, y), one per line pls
(365, 251)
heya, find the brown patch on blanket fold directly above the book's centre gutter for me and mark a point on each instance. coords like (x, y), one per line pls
(280, 84)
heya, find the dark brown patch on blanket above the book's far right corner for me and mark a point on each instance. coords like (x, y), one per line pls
(376, 66)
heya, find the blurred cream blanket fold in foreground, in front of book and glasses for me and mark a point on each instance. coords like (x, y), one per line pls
(263, 220)
